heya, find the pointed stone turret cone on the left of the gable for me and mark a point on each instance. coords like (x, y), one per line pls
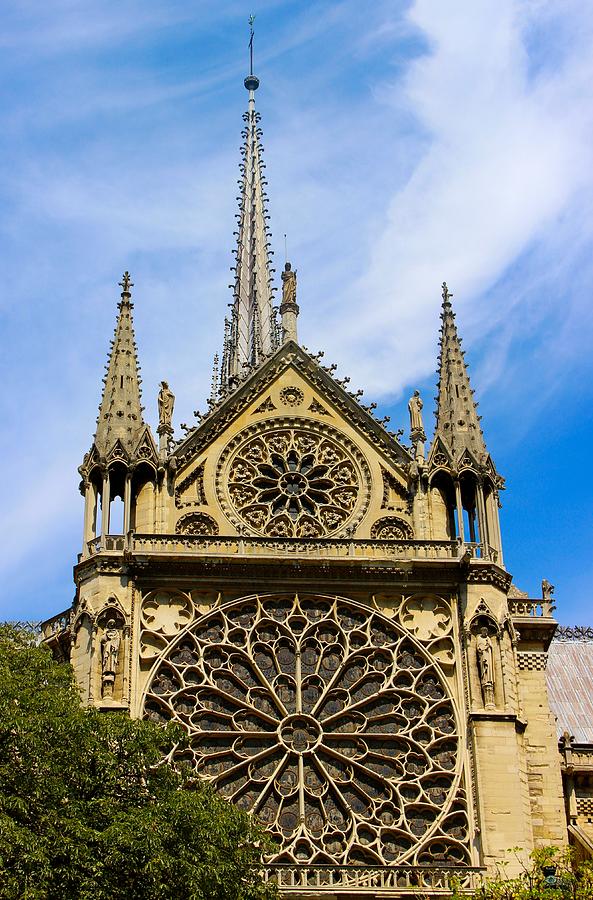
(120, 414)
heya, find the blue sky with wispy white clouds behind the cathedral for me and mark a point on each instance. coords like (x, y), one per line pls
(406, 143)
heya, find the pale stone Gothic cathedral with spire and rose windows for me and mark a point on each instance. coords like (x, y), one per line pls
(322, 607)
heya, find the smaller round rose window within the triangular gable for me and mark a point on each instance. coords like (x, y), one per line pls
(292, 479)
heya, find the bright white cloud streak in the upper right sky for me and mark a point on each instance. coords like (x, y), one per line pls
(505, 156)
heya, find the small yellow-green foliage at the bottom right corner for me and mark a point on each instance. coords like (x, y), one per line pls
(552, 874)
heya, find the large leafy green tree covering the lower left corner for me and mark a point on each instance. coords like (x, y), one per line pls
(88, 808)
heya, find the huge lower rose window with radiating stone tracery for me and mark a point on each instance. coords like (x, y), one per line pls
(328, 721)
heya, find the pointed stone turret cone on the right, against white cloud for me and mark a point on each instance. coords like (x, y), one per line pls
(458, 423)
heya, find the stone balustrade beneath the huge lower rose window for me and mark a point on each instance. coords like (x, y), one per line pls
(395, 880)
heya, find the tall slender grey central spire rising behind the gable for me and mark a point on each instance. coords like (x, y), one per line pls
(252, 331)
